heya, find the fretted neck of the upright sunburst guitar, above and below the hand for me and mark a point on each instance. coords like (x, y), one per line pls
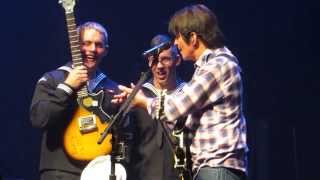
(74, 41)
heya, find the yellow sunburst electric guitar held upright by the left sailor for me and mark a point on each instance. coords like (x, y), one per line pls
(89, 120)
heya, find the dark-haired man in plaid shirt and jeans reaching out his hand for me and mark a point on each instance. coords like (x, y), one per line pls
(211, 101)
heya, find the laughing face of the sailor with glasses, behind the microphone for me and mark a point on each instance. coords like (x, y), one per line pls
(164, 69)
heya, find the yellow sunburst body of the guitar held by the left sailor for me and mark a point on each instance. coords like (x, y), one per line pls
(84, 130)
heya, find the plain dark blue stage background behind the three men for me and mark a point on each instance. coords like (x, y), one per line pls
(276, 42)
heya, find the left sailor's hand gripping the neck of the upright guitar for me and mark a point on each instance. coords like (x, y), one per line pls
(77, 77)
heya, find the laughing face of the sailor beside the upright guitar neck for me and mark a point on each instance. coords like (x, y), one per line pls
(92, 48)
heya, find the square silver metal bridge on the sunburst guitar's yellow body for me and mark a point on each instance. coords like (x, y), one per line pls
(87, 123)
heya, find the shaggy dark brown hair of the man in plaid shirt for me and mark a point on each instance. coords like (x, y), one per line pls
(199, 19)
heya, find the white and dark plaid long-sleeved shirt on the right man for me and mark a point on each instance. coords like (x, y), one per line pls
(212, 103)
